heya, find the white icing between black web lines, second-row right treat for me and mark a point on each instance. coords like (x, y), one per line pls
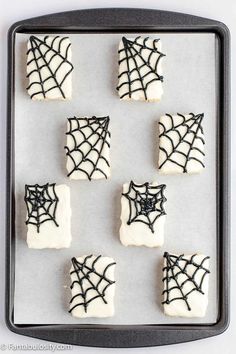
(169, 167)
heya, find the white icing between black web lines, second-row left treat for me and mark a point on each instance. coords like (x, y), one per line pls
(102, 168)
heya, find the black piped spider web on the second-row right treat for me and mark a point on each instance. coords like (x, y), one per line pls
(185, 140)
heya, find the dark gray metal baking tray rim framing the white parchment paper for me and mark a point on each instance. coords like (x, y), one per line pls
(111, 21)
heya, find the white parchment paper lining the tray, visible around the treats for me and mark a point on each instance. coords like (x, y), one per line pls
(42, 279)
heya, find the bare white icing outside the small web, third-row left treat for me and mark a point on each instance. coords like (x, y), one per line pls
(51, 236)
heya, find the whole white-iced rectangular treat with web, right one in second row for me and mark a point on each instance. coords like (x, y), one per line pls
(181, 143)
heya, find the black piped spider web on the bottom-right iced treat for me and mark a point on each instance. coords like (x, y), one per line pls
(174, 268)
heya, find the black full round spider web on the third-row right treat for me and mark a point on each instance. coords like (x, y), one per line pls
(146, 203)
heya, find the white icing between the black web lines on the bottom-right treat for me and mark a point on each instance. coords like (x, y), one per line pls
(198, 302)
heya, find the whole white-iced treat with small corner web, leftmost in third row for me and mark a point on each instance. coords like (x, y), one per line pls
(48, 216)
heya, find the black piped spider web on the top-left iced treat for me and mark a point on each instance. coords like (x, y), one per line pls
(44, 55)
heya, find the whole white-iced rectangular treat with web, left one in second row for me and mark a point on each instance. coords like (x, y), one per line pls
(88, 148)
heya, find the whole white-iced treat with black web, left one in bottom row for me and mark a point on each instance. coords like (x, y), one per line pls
(92, 286)
